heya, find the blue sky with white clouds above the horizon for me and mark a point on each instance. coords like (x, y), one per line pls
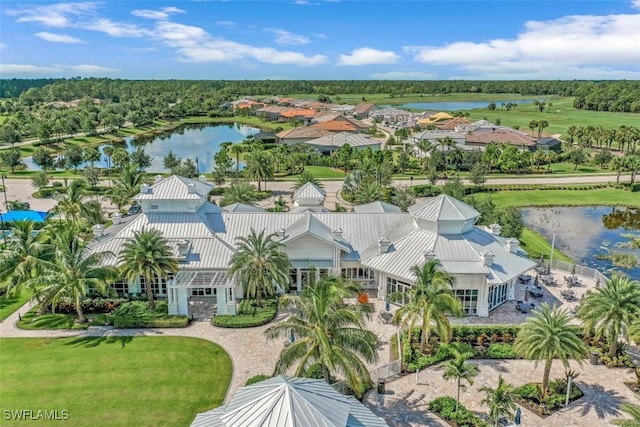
(320, 39)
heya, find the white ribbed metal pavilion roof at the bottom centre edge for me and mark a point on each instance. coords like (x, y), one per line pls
(289, 402)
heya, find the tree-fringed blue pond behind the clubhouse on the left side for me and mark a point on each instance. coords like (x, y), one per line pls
(194, 141)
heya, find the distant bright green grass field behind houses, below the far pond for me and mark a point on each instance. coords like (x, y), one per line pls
(562, 116)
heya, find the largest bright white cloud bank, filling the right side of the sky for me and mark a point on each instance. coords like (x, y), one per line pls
(580, 44)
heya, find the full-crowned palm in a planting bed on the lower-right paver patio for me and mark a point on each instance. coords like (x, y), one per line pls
(550, 335)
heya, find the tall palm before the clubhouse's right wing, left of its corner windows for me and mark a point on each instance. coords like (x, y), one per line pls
(428, 301)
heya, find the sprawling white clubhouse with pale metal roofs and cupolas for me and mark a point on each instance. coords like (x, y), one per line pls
(375, 246)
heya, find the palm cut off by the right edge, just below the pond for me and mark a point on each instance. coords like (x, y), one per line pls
(610, 309)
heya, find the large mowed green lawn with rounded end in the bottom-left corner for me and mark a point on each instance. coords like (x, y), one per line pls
(114, 381)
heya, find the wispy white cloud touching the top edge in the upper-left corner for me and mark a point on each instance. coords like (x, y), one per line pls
(59, 15)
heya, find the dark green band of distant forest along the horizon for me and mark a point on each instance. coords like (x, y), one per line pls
(611, 95)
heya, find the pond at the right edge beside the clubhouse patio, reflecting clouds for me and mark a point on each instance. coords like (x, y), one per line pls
(597, 236)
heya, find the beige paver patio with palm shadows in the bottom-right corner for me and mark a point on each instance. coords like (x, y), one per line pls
(405, 403)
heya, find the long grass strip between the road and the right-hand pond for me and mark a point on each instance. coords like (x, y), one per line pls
(597, 197)
